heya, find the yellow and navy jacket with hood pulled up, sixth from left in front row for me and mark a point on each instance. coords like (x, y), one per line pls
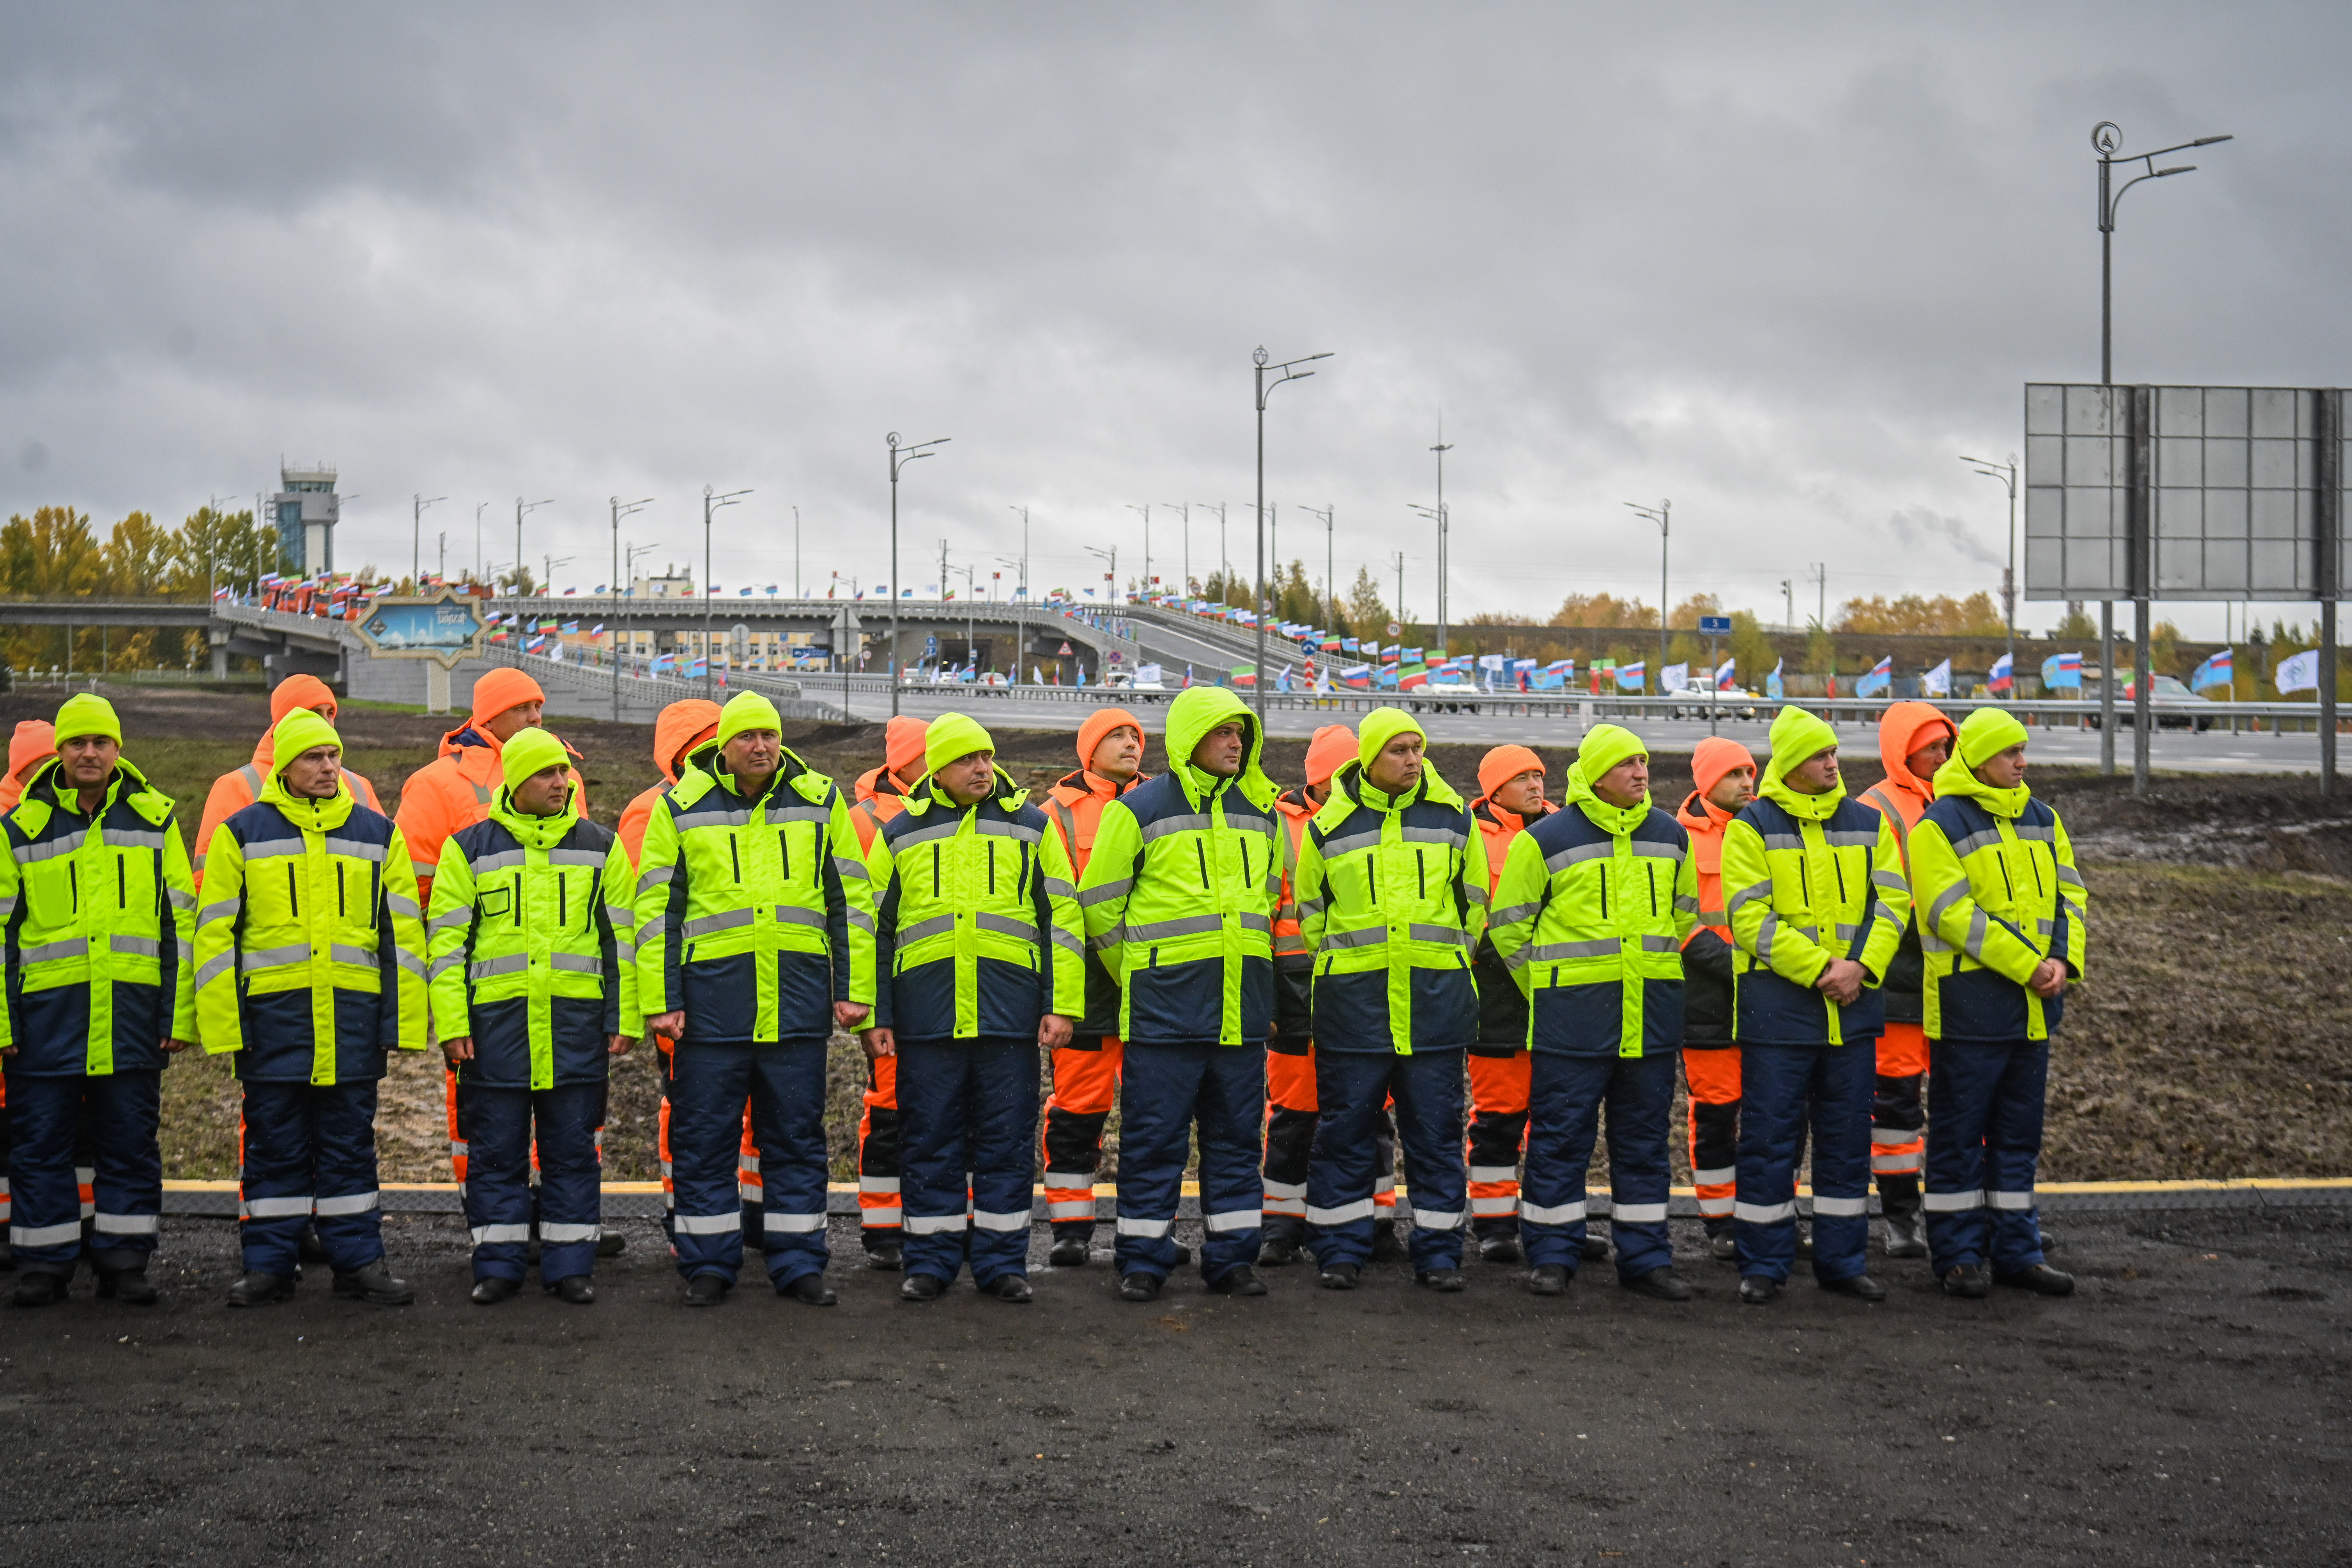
(1182, 890)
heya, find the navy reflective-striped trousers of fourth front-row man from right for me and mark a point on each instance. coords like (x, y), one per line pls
(1354, 1092)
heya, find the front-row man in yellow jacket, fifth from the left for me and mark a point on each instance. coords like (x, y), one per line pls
(982, 963)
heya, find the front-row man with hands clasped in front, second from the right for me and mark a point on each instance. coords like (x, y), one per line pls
(1817, 899)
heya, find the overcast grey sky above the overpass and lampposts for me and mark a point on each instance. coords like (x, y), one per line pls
(1777, 264)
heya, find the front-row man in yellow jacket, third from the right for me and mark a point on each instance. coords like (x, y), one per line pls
(1591, 916)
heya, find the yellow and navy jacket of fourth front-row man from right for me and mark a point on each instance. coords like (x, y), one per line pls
(1394, 902)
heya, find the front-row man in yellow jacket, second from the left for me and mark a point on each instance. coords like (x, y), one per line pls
(309, 967)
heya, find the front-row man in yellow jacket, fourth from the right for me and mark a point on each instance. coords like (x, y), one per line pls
(1394, 904)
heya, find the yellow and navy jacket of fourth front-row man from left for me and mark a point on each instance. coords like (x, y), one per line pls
(754, 916)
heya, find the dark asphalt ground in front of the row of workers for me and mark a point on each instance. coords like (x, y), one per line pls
(2186, 1407)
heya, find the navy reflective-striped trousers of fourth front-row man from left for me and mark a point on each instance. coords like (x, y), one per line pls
(787, 1090)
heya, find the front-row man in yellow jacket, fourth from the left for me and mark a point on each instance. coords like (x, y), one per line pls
(756, 937)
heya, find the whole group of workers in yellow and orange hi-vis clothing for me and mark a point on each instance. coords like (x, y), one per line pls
(1297, 986)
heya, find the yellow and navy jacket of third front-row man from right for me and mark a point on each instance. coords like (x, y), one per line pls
(1591, 918)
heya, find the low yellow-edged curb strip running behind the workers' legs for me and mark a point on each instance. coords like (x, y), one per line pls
(643, 1200)
